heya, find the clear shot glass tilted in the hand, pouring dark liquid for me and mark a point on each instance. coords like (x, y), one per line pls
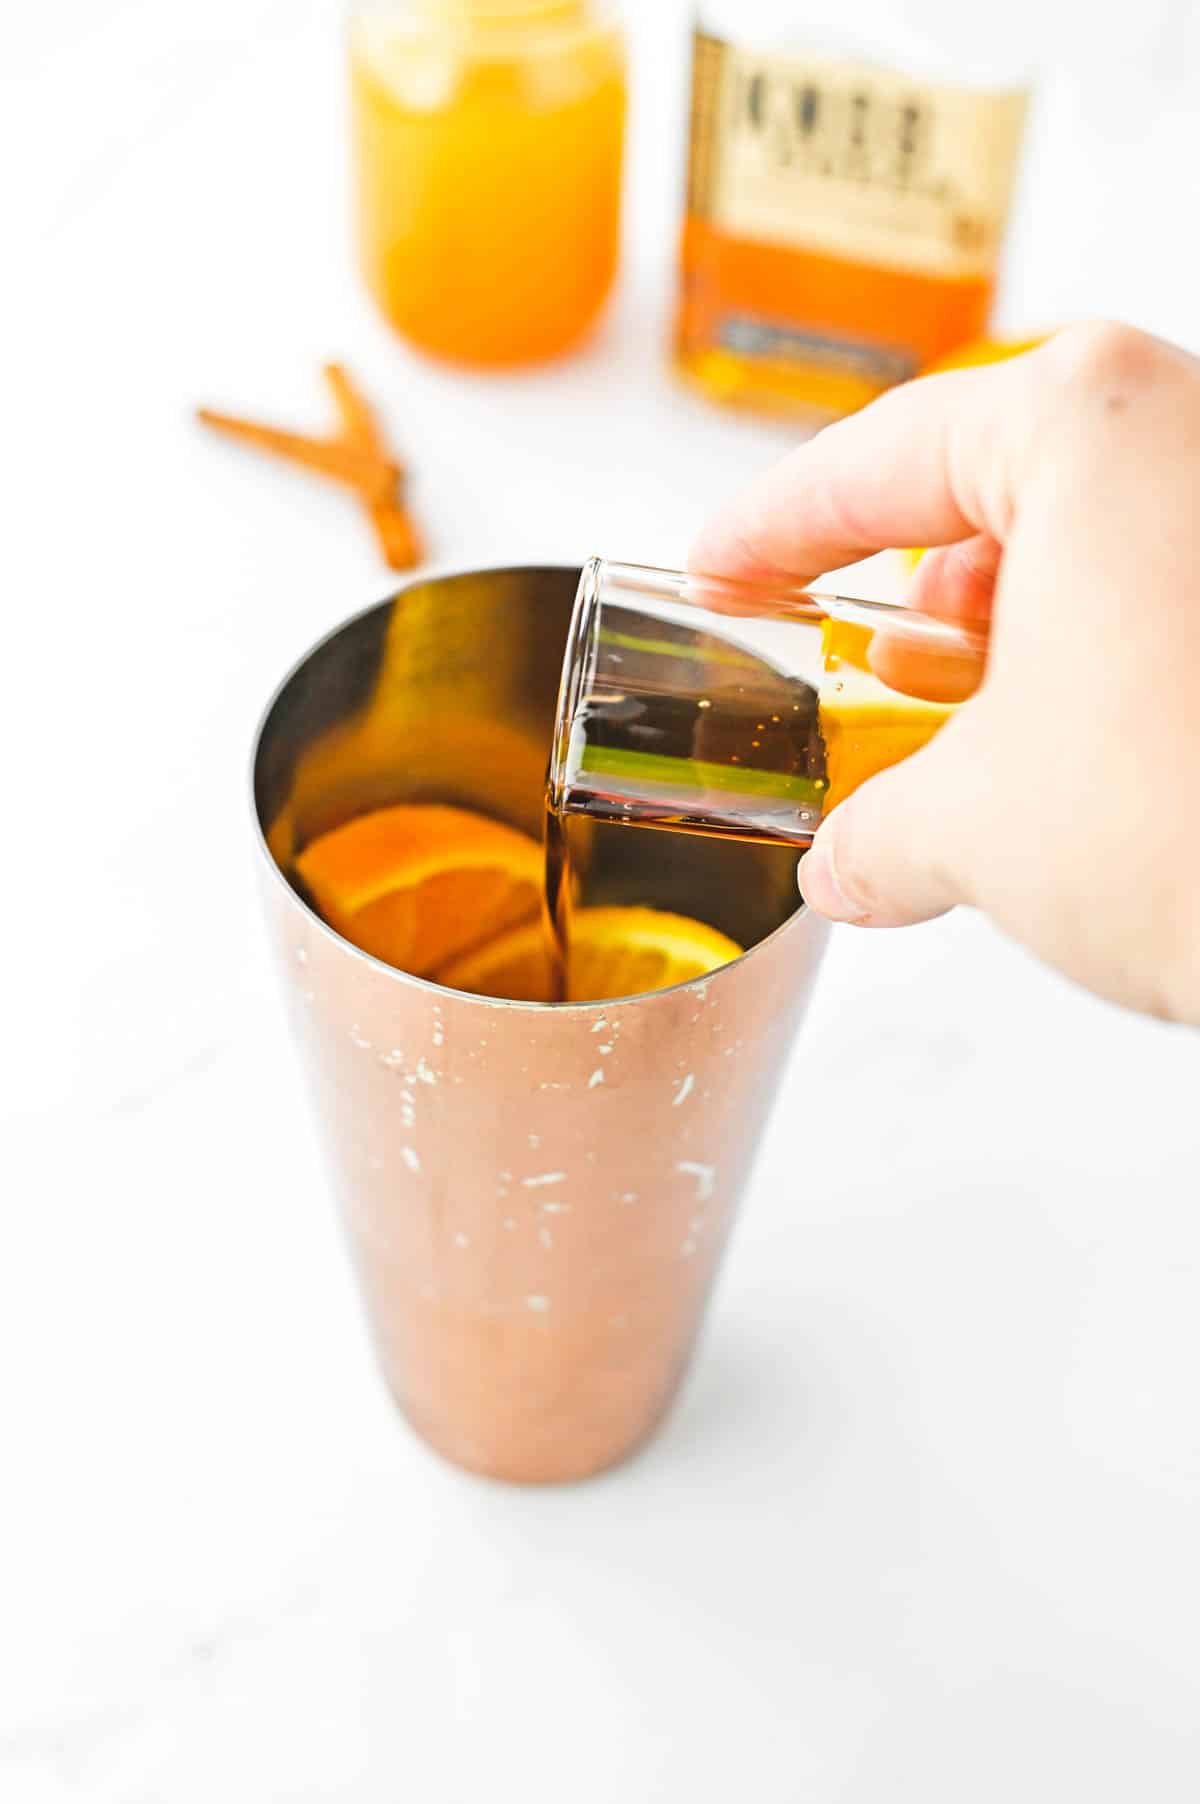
(672, 717)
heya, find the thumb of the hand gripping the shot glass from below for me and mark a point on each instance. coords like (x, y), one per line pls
(901, 849)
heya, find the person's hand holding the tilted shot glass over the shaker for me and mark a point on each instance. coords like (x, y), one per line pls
(1062, 492)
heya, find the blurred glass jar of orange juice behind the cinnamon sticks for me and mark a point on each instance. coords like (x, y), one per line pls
(488, 142)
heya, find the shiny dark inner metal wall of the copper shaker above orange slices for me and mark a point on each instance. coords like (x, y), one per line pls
(447, 694)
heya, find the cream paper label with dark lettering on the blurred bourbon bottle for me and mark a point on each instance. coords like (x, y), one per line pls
(851, 160)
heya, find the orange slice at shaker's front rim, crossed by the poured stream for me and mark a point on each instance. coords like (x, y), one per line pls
(614, 952)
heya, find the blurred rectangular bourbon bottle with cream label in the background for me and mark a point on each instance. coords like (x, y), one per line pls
(851, 176)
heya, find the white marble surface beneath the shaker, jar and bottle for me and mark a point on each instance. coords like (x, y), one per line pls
(925, 1525)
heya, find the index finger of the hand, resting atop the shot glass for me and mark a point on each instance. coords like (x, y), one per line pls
(930, 463)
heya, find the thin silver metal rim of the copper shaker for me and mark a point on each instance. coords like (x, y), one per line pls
(405, 977)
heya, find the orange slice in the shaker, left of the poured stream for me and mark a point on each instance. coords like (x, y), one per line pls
(420, 885)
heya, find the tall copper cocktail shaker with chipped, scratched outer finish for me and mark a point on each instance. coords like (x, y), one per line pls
(537, 1195)
